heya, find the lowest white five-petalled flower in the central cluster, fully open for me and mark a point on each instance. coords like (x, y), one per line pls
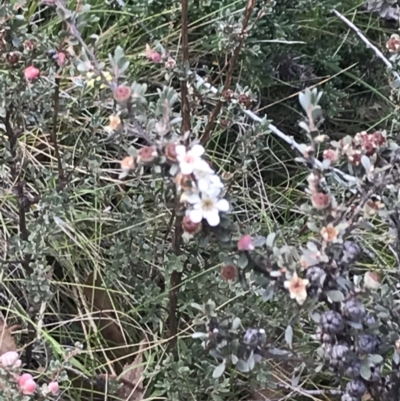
(206, 207)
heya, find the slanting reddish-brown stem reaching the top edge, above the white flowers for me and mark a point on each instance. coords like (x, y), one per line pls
(232, 64)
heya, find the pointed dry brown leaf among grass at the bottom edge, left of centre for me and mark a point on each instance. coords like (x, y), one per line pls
(131, 378)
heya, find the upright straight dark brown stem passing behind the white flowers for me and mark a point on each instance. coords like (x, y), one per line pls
(176, 277)
